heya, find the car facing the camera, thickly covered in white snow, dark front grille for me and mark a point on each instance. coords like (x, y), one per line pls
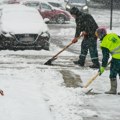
(22, 27)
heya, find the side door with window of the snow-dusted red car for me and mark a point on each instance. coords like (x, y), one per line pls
(46, 11)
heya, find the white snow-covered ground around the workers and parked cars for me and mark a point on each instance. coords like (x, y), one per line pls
(34, 91)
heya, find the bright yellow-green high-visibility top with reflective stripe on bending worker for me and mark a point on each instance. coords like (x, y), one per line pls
(112, 42)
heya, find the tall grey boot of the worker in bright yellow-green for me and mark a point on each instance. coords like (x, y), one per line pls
(113, 89)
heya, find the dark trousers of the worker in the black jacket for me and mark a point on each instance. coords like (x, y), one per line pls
(89, 44)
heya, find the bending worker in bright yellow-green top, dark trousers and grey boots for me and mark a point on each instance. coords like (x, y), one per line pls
(110, 44)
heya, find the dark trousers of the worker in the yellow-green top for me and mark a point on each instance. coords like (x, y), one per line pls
(115, 68)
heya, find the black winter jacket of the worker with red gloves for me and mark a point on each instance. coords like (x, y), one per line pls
(85, 22)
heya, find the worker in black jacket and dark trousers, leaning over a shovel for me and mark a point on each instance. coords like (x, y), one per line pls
(86, 25)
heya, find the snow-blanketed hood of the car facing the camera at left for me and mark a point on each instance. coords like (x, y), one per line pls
(21, 27)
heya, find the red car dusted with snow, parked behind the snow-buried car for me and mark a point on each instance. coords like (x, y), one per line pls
(48, 11)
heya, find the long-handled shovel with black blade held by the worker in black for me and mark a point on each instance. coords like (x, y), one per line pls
(49, 62)
